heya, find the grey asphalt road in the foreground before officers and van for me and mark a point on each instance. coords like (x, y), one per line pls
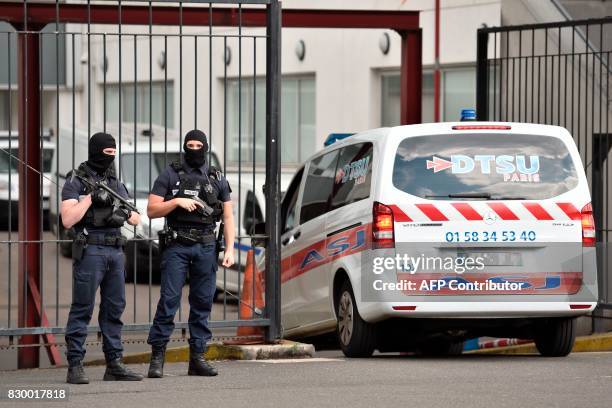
(580, 380)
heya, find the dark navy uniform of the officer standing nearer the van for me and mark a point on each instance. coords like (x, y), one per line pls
(196, 256)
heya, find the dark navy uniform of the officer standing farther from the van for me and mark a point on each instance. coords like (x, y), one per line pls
(101, 264)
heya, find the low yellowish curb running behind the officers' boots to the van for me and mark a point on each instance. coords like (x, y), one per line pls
(219, 351)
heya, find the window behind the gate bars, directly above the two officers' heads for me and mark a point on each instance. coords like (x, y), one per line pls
(142, 103)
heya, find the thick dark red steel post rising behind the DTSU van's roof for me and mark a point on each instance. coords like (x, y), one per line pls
(411, 77)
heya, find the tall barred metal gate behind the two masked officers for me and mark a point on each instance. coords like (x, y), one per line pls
(146, 73)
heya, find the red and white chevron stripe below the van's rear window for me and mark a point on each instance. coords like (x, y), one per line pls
(477, 211)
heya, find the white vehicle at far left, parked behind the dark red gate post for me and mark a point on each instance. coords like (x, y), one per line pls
(9, 177)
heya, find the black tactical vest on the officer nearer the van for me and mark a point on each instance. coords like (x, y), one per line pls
(190, 185)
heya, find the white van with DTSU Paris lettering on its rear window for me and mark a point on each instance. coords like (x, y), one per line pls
(416, 238)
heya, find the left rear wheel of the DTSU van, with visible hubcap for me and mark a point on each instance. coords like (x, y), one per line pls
(355, 335)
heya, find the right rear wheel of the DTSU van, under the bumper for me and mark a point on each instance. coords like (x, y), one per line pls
(556, 337)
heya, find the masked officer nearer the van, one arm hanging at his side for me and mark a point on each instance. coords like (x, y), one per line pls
(193, 197)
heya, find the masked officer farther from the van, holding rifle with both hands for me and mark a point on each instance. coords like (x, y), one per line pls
(98, 259)
